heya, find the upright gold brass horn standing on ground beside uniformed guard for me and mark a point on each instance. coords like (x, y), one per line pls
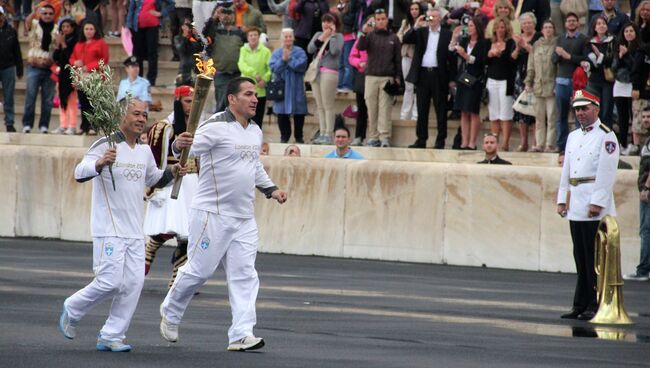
(608, 269)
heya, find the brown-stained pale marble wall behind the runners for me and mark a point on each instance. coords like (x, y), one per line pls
(453, 213)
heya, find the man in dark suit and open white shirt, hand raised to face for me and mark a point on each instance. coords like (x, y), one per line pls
(432, 70)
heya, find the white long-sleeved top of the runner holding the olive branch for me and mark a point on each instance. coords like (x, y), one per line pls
(120, 212)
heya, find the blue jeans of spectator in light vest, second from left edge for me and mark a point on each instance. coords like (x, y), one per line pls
(38, 78)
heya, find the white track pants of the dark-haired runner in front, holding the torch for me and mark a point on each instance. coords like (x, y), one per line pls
(218, 239)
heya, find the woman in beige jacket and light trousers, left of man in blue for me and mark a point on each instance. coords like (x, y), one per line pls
(540, 80)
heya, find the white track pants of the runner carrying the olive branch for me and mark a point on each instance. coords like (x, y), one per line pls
(118, 264)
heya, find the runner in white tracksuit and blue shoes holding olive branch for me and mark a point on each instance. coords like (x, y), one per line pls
(116, 227)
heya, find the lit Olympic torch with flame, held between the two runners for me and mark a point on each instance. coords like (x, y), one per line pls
(201, 89)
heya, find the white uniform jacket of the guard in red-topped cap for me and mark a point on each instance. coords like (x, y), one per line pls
(591, 153)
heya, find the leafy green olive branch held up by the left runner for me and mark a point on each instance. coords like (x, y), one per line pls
(106, 113)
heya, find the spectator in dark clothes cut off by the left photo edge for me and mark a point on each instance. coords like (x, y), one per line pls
(11, 65)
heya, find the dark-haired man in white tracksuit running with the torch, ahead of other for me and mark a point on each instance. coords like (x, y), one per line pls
(222, 222)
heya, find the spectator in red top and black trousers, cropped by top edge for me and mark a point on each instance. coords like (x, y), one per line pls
(143, 19)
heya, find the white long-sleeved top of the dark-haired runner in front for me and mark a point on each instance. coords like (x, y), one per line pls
(229, 158)
